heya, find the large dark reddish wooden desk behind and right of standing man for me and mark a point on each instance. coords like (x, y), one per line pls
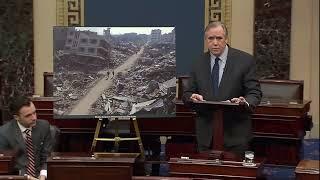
(278, 128)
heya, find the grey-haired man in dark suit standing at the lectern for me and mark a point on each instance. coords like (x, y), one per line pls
(236, 82)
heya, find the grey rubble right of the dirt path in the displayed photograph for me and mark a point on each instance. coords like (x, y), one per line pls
(149, 88)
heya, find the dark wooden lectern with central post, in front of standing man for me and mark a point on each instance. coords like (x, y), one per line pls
(217, 109)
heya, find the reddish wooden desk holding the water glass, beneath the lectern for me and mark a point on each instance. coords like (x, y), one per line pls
(196, 168)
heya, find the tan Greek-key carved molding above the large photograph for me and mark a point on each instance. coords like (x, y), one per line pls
(70, 12)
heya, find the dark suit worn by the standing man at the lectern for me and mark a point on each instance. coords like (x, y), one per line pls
(238, 79)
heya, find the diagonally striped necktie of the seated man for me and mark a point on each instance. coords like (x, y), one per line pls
(30, 154)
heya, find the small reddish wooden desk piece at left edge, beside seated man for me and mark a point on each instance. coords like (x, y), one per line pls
(6, 163)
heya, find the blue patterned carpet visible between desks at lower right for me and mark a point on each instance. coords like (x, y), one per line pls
(310, 151)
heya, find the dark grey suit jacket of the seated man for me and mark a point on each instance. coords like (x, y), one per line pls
(11, 139)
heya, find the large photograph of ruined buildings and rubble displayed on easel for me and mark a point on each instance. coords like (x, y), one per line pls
(114, 71)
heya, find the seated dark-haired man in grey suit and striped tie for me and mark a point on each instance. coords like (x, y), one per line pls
(14, 135)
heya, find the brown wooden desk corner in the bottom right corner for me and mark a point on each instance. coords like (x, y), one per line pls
(307, 170)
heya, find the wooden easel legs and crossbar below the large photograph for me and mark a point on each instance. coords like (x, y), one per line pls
(117, 138)
